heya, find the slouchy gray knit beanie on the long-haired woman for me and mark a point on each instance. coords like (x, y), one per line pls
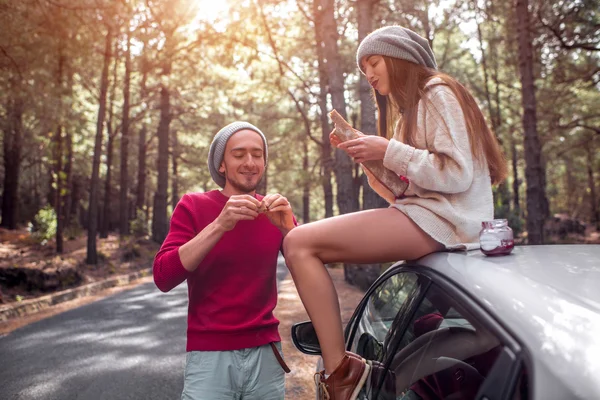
(397, 42)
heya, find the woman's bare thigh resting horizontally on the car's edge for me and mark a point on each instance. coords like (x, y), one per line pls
(378, 235)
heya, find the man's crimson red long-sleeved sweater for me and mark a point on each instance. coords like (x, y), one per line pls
(233, 291)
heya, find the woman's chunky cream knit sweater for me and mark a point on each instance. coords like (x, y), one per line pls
(450, 202)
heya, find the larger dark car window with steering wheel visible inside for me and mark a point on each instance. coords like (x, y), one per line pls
(445, 352)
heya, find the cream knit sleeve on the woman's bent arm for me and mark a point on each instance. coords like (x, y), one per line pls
(447, 165)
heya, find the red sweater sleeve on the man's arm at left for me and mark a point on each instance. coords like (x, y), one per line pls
(167, 269)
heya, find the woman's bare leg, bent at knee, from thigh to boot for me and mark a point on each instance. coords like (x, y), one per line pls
(379, 235)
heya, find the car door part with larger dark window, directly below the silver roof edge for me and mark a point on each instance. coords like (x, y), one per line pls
(448, 348)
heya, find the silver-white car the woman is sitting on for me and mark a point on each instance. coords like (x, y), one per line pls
(460, 325)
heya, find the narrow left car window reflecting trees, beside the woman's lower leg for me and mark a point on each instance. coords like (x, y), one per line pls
(379, 313)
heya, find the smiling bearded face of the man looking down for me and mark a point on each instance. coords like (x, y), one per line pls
(243, 162)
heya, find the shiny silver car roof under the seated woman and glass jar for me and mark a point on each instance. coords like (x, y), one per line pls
(548, 296)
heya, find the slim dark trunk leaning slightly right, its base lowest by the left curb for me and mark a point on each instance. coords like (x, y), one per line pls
(92, 253)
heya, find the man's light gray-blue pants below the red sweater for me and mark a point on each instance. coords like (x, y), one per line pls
(246, 374)
